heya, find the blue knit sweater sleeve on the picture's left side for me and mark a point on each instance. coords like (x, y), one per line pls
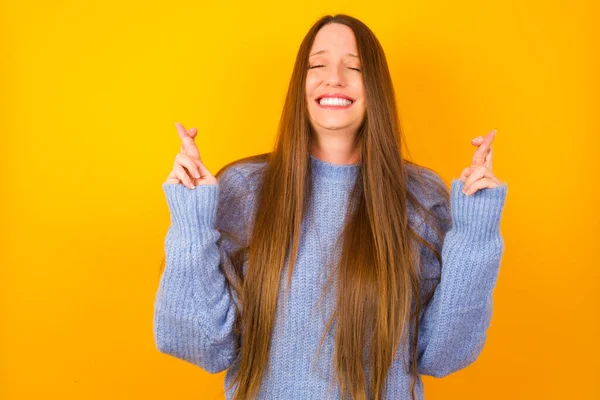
(194, 311)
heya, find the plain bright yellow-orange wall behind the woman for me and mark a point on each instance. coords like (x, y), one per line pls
(90, 93)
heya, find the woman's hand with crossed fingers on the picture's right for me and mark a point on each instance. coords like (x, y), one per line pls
(479, 175)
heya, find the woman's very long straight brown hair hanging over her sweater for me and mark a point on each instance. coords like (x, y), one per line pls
(380, 291)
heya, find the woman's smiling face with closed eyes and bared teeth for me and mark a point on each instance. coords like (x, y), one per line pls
(334, 85)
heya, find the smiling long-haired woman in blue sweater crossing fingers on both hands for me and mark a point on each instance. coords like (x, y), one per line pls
(330, 267)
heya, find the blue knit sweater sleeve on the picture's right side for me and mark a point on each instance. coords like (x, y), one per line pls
(454, 325)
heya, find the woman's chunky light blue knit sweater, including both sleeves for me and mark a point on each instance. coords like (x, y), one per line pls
(194, 312)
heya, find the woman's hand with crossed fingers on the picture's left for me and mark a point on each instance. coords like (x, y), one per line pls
(188, 167)
